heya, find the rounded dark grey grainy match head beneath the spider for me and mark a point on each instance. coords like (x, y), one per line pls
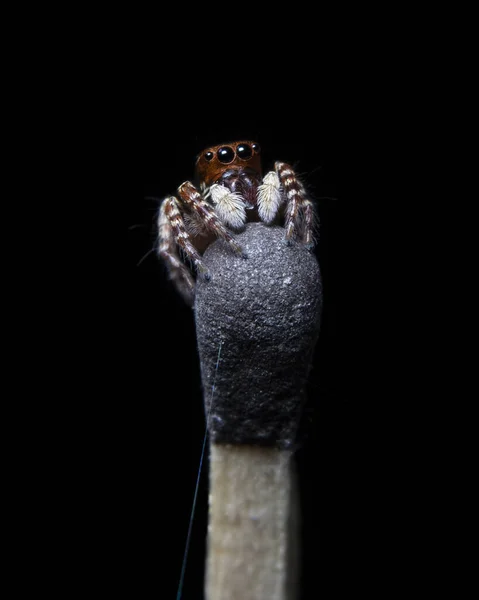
(265, 312)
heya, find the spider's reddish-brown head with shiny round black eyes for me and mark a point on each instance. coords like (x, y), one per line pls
(214, 161)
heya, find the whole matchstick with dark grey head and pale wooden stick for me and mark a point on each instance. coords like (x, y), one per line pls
(257, 322)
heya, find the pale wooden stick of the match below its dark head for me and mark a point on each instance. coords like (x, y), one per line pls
(252, 533)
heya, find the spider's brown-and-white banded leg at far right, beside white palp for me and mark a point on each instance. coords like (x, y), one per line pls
(299, 215)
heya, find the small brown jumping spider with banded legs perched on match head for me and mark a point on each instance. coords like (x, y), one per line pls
(231, 191)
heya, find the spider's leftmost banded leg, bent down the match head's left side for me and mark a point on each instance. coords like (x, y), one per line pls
(171, 234)
